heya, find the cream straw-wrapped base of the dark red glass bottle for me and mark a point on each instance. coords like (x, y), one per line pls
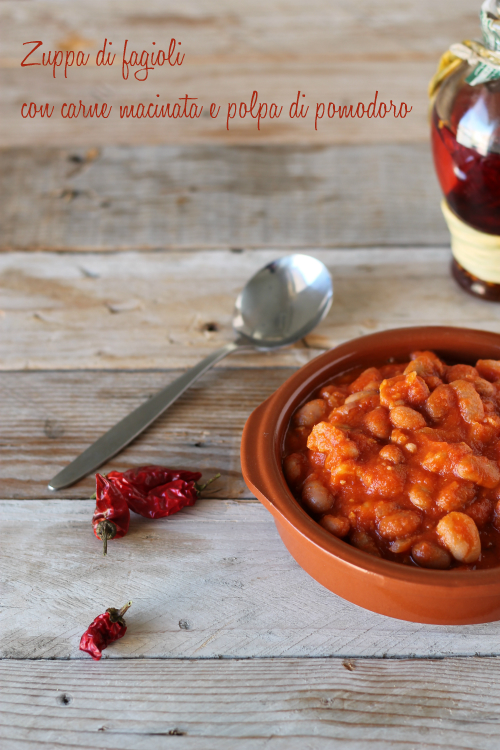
(476, 257)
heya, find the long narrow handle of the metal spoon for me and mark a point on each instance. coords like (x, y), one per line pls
(113, 441)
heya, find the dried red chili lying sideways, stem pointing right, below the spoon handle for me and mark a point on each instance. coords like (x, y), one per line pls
(156, 491)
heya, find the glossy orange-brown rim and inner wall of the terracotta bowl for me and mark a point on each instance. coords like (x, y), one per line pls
(461, 344)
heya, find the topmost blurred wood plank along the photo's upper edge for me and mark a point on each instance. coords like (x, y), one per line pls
(251, 31)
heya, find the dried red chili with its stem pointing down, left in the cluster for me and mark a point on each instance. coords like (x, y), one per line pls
(112, 515)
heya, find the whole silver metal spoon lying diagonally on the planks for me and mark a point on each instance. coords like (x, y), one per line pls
(282, 303)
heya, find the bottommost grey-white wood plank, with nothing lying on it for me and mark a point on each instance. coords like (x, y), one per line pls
(254, 705)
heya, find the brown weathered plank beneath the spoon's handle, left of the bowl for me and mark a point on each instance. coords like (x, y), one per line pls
(47, 419)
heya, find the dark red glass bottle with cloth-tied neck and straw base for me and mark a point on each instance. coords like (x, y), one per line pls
(465, 127)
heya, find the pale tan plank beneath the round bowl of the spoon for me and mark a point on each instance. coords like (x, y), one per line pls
(154, 310)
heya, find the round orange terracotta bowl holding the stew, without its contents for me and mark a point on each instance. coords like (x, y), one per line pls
(427, 596)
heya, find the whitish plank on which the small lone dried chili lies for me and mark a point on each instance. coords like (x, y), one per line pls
(212, 580)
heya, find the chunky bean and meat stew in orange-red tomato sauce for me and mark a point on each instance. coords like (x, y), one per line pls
(402, 461)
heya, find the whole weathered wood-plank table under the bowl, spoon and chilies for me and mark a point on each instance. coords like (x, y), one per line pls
(119, 268)
